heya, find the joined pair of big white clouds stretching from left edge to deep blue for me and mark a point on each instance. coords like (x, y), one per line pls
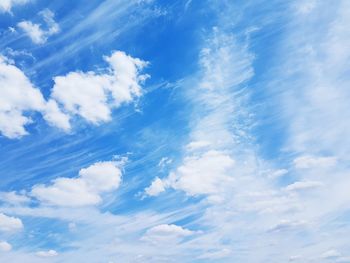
(89, 95)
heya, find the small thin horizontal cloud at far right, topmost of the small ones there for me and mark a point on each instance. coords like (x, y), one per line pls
(307, 161)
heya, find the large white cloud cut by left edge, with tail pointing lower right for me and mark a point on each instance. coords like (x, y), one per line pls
(17, 96)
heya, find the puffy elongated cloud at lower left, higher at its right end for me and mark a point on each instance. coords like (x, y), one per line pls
(83, 190)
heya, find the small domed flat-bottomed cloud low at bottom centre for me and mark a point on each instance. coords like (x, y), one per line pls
(165, 234)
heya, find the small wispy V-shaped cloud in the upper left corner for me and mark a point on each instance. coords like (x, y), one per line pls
(35, 31)
